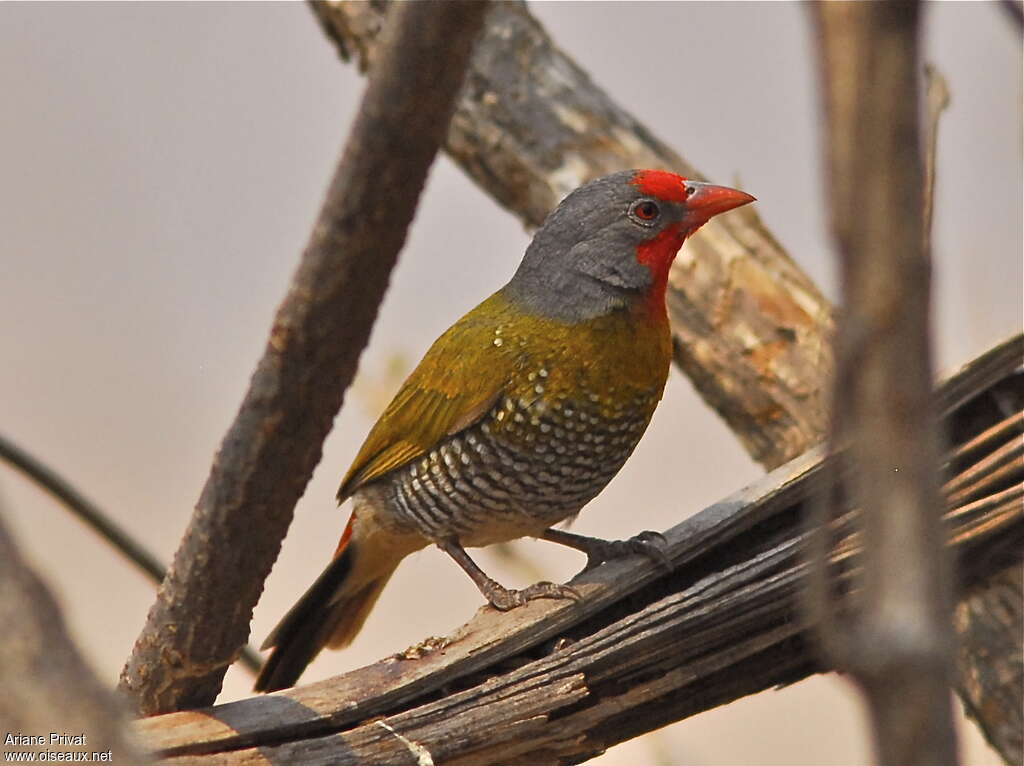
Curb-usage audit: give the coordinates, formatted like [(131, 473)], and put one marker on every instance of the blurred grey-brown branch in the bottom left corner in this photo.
[(48, 687)]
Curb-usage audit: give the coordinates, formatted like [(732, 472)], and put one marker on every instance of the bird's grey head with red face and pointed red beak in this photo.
[(610, 244)]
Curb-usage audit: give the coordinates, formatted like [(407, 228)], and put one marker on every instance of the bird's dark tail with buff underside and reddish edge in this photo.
[(334, 609)]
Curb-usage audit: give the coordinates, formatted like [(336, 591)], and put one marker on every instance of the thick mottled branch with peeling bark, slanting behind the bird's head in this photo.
[(752, 331)]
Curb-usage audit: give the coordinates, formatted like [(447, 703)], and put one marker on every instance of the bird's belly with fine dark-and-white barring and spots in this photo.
[(534, 460)]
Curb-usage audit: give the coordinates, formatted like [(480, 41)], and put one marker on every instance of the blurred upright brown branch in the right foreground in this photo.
[(899, 645)]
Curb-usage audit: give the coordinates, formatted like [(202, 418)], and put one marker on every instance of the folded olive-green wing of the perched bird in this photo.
[(456, 384)]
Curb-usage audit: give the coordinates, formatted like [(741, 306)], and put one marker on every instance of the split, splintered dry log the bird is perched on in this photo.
[(554, 684)]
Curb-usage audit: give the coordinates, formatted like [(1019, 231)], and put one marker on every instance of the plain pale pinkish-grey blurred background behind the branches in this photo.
[(161, 166)]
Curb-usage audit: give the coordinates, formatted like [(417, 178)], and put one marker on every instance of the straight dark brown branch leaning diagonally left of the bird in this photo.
[(205, 606)]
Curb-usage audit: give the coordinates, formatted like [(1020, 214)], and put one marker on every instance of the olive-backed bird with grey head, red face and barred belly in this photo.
[(520, 414)]
